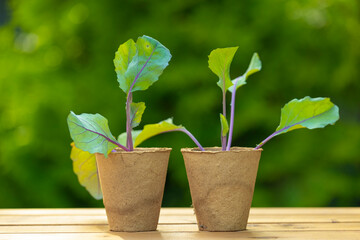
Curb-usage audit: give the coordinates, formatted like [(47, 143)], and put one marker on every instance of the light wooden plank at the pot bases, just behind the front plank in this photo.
[(180, 228)]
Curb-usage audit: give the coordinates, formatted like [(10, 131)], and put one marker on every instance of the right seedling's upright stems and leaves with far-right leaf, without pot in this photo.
[(304, 113)]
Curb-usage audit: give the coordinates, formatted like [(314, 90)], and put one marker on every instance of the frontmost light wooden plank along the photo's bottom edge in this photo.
[(354, 235)]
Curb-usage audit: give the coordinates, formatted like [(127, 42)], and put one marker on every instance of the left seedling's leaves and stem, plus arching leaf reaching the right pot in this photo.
[(138, 65)]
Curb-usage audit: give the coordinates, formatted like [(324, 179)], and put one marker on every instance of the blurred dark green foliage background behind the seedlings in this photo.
[(56, 56)]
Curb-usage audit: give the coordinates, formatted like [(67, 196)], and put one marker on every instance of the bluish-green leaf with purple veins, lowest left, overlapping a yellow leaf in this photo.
[(91, 133)]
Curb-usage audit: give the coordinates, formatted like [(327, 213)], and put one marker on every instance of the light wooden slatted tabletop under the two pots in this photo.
[(180, 223)]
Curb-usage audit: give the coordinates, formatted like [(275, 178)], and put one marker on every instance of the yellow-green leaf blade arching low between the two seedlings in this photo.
[(151, 130)]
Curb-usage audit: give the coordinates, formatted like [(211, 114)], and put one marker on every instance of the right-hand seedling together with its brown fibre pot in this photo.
[(213, 171)]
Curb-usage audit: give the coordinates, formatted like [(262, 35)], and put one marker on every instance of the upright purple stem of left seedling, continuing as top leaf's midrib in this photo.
[(128, 102)]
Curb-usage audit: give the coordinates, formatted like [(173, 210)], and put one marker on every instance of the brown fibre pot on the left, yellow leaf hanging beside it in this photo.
[(133, 185)]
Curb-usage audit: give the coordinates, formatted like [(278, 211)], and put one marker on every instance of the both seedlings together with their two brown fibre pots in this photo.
[(131, 180)]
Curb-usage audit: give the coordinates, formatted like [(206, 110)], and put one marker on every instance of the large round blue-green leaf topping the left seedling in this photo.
[(142, 62)]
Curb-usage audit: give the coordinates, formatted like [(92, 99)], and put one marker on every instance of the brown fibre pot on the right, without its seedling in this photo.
[(222, 186)]
